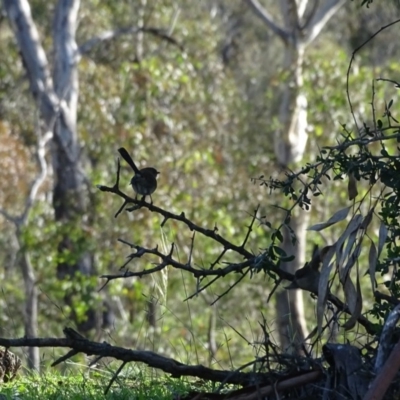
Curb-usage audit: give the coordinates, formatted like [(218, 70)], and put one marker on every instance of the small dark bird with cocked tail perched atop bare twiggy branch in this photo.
[(144, 182)]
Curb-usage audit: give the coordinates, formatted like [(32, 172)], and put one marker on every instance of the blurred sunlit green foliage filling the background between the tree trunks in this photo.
[(208, 127)]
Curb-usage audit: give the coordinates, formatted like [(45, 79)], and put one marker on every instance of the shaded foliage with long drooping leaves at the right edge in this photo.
[(369, 161)]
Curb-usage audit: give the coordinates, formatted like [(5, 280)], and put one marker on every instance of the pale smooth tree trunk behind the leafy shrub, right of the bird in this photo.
[(301, 25)]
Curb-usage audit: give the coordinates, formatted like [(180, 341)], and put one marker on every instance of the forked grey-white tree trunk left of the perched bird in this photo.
[(56, 96)]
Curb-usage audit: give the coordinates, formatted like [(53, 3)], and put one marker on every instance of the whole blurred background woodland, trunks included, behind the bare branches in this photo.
[(215, 95)]
